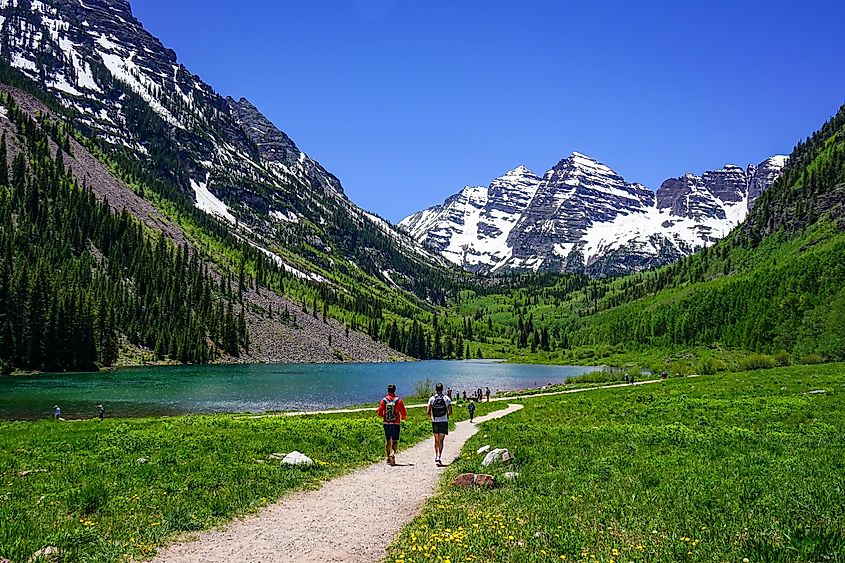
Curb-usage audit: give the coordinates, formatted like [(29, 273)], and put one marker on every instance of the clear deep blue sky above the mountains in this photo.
[(408, 101)]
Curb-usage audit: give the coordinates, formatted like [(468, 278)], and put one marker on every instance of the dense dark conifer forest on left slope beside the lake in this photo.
[(76, 278)]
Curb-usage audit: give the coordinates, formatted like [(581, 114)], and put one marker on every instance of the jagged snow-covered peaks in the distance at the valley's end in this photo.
[(582, 216)]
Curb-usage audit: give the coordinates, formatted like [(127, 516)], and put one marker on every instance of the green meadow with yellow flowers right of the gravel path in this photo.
[(728, 467)]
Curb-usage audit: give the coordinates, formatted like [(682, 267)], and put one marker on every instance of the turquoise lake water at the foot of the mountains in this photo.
[(253, 388)]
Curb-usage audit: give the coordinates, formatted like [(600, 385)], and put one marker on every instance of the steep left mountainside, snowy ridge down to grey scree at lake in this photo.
[(217, 176)]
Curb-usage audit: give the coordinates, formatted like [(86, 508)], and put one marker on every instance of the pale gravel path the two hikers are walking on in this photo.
[(344, 520)]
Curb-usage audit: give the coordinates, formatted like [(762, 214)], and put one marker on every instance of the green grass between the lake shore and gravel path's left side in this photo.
[(80, 486)]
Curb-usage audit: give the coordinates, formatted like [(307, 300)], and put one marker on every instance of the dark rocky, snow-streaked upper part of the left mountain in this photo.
[(131, 93)]
